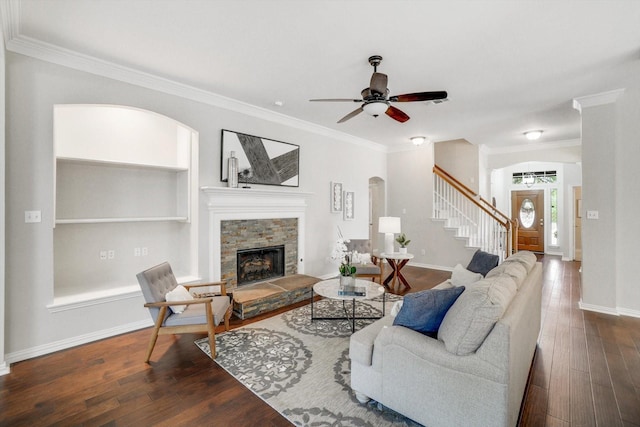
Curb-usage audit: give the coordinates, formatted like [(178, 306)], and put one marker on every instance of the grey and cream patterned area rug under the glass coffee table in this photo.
[(301, 368)]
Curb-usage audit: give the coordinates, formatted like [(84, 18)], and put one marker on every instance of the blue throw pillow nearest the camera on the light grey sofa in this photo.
[(423, 311)]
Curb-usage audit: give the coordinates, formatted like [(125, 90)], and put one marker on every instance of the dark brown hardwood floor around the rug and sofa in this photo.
[(586, 372)]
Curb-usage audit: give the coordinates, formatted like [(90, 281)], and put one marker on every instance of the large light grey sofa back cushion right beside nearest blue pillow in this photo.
[(475, 312)]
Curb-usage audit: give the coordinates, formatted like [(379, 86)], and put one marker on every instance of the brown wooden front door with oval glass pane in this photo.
[(527, 207)]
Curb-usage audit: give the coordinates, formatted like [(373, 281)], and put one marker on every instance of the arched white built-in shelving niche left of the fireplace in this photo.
[(125, 186)]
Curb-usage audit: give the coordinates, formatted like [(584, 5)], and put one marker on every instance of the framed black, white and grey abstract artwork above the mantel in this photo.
[(270, 162)]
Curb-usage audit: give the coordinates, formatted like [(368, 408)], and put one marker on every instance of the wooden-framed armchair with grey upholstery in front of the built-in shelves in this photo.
[(200, 314)]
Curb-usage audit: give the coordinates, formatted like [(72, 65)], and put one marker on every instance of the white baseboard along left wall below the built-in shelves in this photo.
[(64, 344)]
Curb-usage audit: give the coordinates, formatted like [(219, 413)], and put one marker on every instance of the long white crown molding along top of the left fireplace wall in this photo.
[(48, 52)]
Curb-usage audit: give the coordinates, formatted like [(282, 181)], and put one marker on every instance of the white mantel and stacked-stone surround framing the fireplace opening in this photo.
[(246, 218)]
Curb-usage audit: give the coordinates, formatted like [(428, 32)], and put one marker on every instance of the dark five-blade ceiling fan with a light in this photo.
[(376, 99)]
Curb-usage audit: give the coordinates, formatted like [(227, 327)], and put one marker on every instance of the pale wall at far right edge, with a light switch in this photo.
[(610, 132)]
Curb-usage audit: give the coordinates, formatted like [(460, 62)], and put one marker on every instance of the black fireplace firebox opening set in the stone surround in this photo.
[(259, 264)]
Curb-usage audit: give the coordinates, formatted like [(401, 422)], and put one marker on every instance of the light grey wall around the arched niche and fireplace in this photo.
[(33, 87)]
